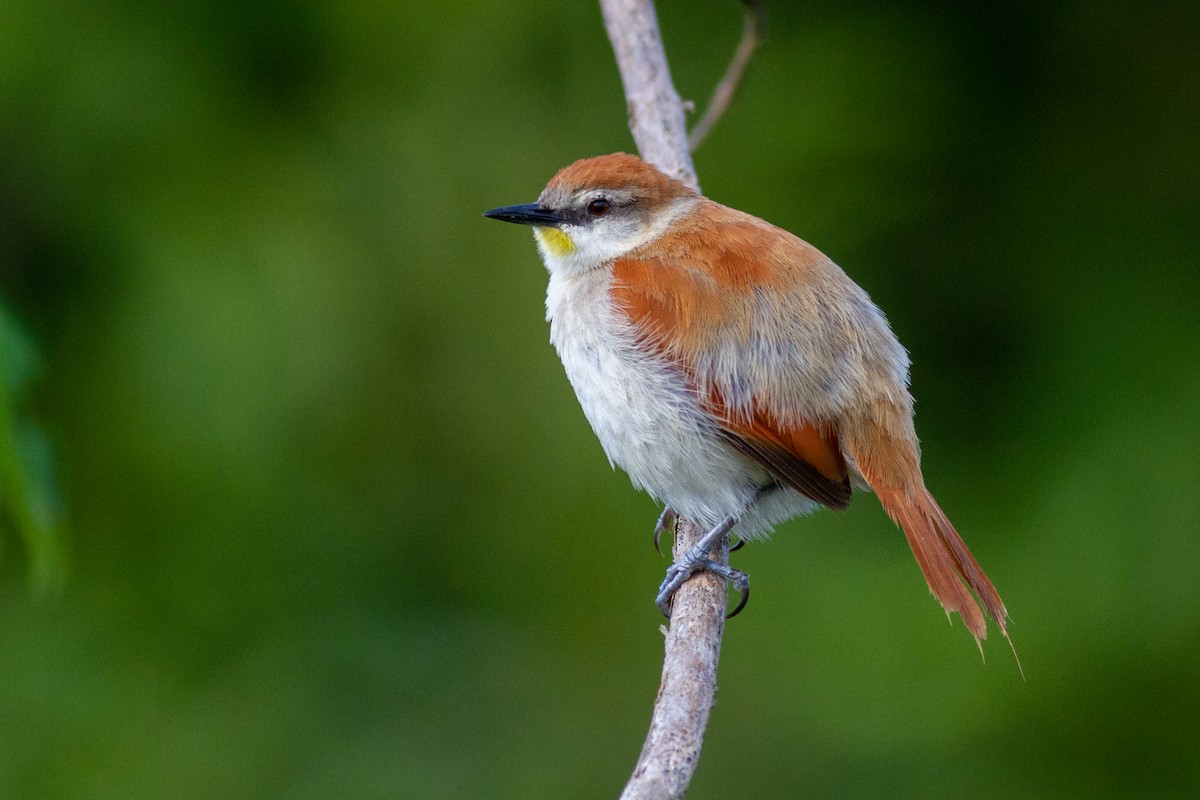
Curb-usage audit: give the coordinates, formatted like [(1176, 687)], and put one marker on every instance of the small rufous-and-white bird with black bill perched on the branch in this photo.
[(734, 371)]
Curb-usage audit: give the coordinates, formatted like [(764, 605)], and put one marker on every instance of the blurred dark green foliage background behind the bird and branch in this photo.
[(326, 521)]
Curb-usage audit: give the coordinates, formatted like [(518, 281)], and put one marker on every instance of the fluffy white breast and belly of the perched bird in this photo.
[(647, 418)]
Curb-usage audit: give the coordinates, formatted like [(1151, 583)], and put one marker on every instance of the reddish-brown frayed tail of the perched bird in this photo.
[(944, 558)]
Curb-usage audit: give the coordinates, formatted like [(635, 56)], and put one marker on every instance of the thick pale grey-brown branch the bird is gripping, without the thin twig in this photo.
[(693, 643)]
